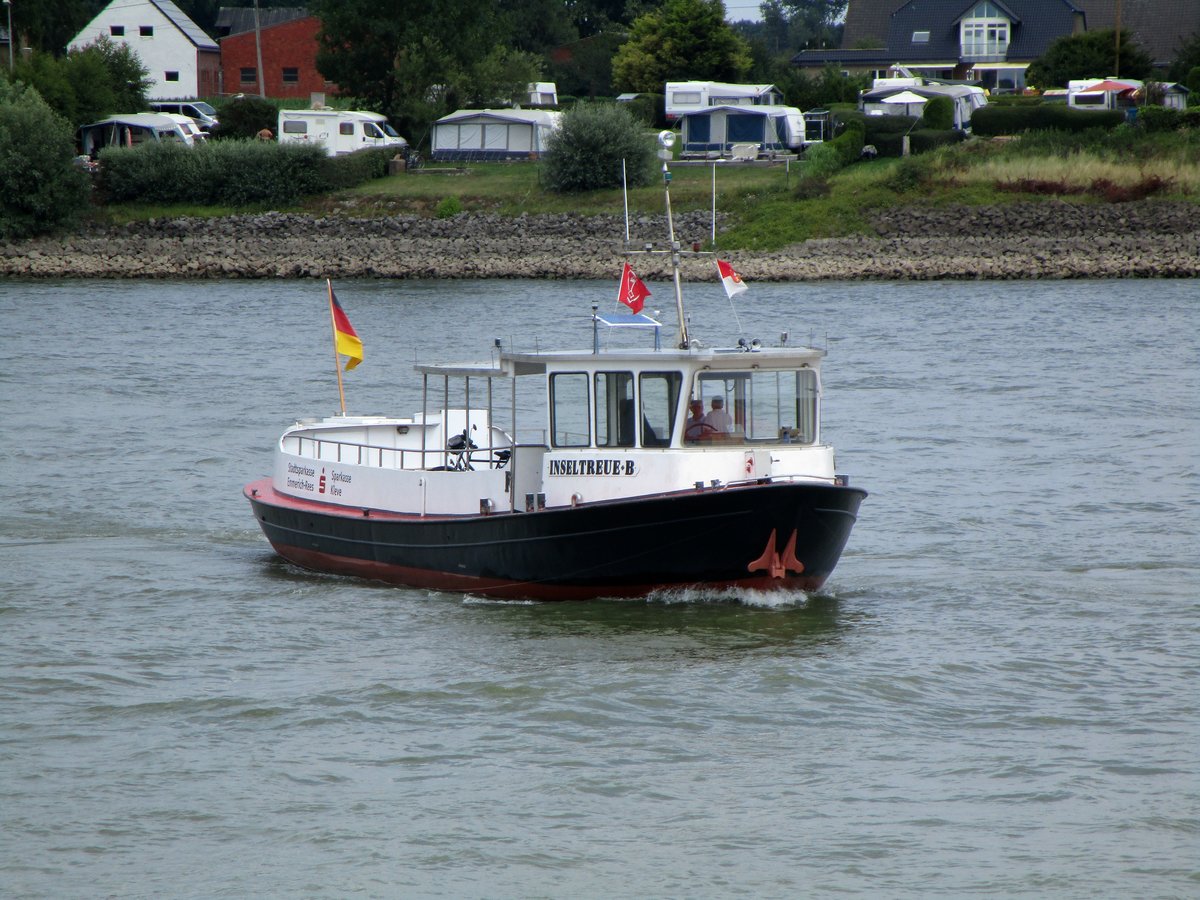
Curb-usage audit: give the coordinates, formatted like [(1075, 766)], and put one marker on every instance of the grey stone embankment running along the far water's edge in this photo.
[(1047, 241)]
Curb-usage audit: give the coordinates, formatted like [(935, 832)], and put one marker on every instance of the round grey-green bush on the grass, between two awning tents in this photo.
[(587, 151)]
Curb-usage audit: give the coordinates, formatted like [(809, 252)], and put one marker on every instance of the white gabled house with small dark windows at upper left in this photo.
[(183, 61)]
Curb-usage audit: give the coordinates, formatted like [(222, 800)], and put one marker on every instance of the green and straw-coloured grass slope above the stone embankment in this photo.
[(767, 208)]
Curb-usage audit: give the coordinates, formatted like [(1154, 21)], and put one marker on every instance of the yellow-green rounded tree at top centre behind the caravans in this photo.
[(685, 40)]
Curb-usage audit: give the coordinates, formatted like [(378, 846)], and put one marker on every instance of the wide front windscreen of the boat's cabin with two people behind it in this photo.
[(765, 406)]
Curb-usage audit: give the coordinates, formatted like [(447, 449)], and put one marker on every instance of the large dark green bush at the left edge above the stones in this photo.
[(40, 187)]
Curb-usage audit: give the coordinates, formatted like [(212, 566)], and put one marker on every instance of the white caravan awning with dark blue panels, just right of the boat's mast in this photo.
[(715, 133)]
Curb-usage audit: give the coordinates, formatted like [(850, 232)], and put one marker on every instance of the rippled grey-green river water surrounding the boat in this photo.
[(997, 694)]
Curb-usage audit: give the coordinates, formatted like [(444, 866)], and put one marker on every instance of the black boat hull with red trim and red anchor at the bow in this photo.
[(763, 537)]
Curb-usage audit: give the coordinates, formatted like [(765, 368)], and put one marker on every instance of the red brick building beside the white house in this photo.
[(287, 40)]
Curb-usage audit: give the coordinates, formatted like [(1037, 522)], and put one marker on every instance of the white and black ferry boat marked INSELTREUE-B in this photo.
[(617, 487)]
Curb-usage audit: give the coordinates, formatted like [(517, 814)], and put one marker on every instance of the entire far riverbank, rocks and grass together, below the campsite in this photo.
[(943, 215)]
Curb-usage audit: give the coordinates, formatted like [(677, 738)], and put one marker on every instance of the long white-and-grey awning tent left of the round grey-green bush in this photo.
[(494, 134)]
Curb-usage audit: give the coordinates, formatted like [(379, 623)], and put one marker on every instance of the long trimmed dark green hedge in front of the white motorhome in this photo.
[(233, 173)]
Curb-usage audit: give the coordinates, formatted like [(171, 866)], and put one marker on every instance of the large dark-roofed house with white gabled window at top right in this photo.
[(991, 43)]
